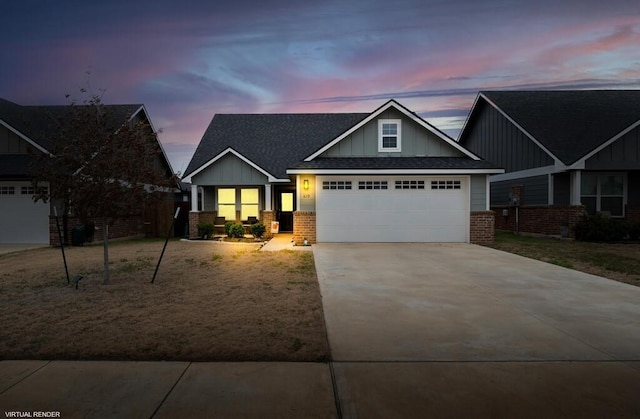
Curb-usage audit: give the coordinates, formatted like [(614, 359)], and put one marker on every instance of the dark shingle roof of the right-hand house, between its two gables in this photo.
[(570, 124)]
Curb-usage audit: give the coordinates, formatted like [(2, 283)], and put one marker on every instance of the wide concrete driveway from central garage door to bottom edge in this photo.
[(453, 330)]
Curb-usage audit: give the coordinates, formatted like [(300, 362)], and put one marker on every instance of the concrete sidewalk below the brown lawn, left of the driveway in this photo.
[(111, 389)]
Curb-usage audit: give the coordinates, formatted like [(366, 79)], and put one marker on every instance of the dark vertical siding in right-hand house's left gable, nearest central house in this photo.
[(494, 138)]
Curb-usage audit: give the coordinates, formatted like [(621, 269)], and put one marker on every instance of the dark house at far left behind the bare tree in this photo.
[(22, 133)]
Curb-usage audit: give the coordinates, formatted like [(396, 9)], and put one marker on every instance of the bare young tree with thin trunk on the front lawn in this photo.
[(102, 164)]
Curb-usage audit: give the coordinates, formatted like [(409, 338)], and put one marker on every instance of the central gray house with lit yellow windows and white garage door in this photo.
[(385, 176)]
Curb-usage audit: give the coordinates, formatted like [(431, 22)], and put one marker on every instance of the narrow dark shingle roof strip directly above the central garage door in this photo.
[(390, 163)]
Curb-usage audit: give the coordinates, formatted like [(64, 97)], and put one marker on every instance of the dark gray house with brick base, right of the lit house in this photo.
[(564, 152)]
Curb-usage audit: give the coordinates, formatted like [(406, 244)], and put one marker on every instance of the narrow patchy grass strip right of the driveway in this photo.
[(620, 262)]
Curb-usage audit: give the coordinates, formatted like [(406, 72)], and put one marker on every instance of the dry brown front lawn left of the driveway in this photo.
[(210, 301)]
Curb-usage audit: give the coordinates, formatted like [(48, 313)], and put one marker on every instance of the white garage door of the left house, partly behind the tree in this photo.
[(22, 220)]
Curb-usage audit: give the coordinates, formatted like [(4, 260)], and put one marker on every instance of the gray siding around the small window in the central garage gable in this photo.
[(415, 141)]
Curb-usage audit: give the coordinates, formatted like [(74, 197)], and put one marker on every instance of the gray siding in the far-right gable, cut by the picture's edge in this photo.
[(623, 154)]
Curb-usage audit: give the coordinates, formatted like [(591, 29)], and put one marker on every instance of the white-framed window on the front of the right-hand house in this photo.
[(603, 193)]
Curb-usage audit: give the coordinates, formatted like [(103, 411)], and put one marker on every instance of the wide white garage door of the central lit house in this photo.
[(392, 209)]
